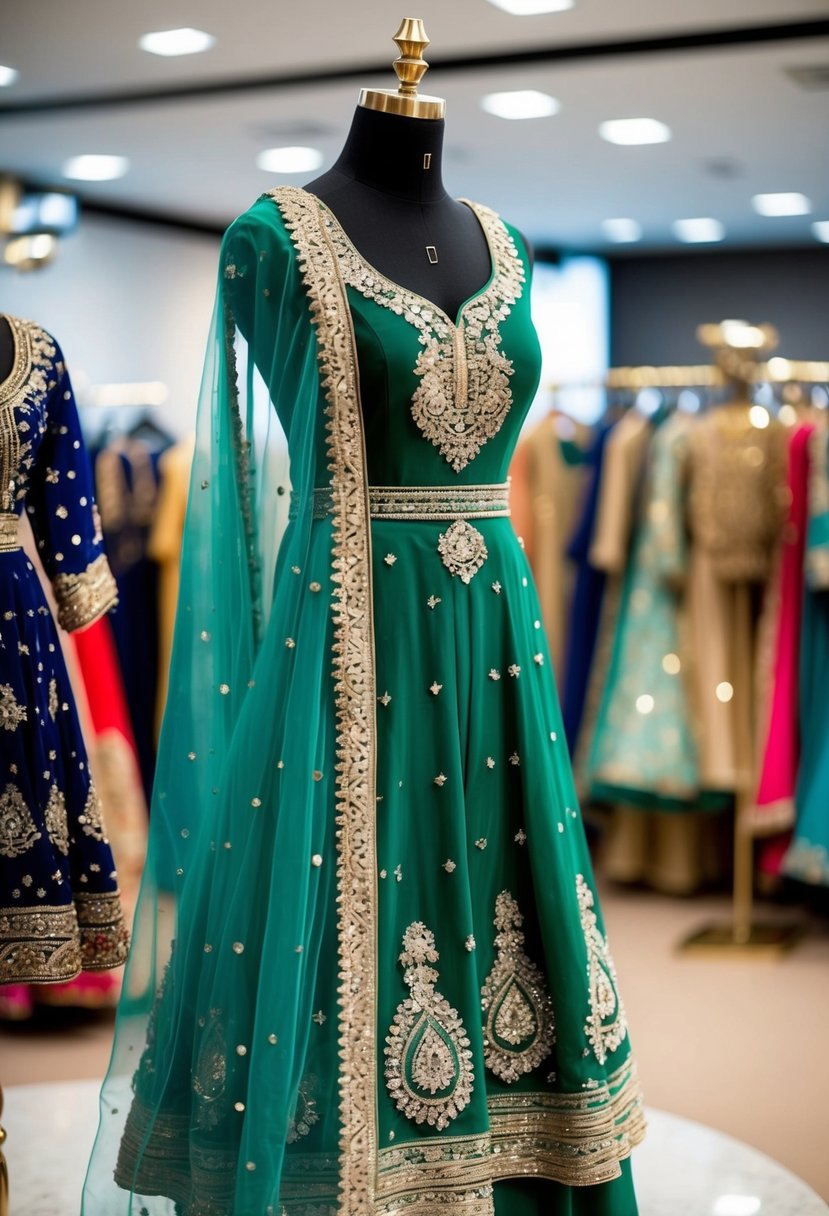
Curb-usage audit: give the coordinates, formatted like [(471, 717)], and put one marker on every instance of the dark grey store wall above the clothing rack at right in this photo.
[(658, 302)]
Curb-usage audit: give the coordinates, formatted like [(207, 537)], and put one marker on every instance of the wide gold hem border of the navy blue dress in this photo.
[(55, 943)]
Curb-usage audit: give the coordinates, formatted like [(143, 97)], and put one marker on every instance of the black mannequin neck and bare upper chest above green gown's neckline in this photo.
[(387, 192)]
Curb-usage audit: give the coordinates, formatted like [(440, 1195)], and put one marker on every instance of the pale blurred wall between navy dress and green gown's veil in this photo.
[(127, 302)]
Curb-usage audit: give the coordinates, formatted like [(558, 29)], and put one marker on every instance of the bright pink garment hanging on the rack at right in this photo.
[(775, 809)]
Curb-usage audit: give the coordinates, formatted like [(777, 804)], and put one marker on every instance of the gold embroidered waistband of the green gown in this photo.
[(437, 503)]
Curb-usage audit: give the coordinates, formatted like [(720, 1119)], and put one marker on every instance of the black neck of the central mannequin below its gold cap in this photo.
[(391, 154)]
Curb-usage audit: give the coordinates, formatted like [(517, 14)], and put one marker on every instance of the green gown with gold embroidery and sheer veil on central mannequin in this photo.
[(439, 1031)]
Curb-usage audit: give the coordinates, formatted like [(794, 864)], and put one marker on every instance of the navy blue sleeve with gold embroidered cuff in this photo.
[(65, 520)]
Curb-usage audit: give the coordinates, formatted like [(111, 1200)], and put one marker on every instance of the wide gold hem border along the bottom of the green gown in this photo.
[(577, 1140)]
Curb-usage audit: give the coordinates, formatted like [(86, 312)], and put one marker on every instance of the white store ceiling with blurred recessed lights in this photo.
[(555, 178)]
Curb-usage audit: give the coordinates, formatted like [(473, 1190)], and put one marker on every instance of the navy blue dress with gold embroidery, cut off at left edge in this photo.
[(60, 909)]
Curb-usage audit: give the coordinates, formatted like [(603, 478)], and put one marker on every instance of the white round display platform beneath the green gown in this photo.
[(683, 1168)]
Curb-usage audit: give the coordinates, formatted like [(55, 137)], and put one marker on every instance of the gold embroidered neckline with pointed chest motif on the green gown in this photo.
[(464, 396)]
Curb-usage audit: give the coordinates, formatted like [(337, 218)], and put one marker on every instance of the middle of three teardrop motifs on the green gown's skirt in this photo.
[(520, 1028)]
